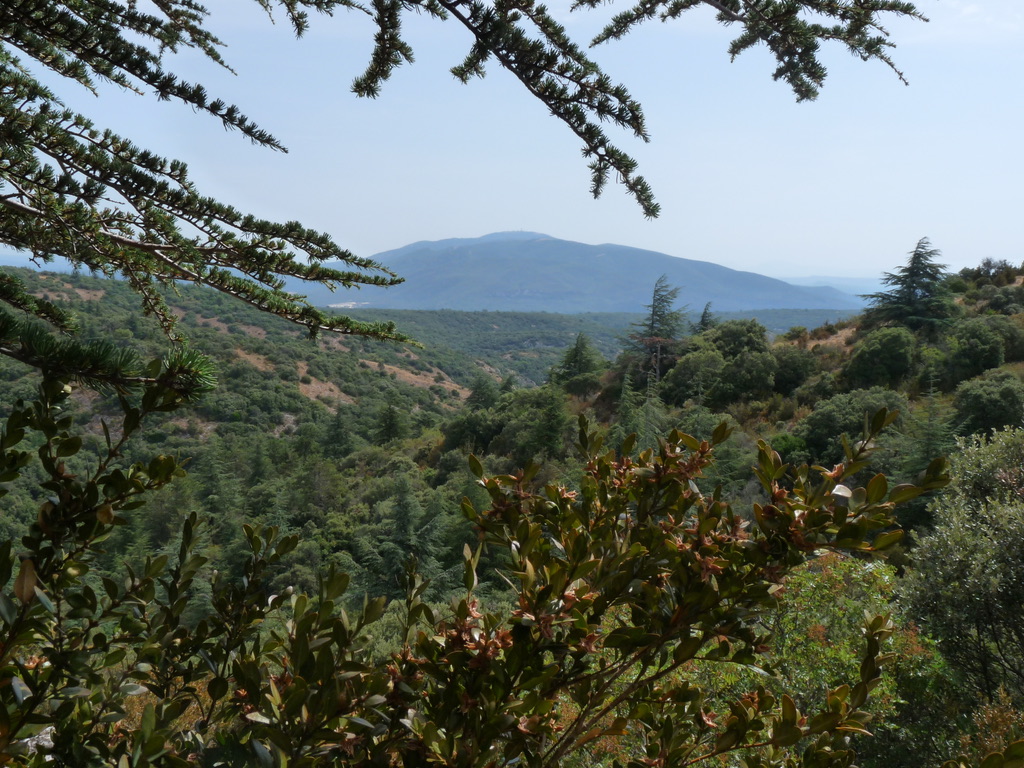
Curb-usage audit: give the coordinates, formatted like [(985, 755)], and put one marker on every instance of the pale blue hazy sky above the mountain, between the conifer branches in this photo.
[(747, 178)]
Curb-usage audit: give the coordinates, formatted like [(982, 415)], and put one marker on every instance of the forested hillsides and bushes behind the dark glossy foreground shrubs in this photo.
[(362, 450)]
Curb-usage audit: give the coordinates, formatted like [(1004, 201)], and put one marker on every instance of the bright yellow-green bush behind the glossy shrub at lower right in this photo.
[(817, 631)]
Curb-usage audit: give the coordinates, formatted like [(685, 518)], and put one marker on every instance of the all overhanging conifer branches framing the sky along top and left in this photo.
[(70, 188)]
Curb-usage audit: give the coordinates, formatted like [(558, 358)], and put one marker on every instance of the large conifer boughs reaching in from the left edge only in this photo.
[(74, 190)]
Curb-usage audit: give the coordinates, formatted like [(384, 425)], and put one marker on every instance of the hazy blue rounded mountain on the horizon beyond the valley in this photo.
[(530, 273)]
